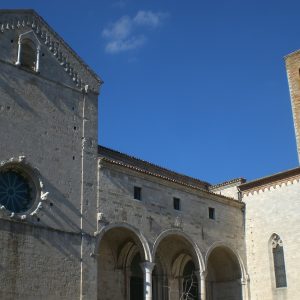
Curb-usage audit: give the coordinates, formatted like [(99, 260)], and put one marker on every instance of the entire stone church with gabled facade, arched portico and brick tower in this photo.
[(81, 221)]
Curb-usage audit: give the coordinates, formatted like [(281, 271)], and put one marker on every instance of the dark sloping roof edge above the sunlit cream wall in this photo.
[(269, 179)]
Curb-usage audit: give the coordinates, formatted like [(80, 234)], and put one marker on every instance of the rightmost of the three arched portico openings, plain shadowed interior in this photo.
[(223, 281)]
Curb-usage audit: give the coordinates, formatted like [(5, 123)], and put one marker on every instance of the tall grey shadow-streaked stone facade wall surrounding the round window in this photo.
[(51, 123)]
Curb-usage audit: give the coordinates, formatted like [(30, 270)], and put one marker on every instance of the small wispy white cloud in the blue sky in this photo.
[(123, 35)]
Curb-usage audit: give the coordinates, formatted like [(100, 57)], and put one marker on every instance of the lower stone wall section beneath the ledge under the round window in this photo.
[(38, 263)]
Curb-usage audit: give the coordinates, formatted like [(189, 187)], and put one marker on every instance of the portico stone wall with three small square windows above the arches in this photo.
[(154, 215)]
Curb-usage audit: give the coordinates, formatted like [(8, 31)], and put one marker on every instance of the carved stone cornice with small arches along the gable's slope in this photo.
[(73, 65)]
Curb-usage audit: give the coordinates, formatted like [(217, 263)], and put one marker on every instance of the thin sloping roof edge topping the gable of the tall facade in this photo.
[(67, 46)]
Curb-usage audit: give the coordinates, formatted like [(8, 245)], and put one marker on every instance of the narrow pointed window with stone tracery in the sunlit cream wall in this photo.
[(278, 259)]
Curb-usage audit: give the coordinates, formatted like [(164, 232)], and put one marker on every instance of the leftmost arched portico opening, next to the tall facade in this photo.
[(120, 275)]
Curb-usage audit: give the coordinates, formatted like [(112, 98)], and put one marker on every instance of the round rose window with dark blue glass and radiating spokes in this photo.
[(17, 190)]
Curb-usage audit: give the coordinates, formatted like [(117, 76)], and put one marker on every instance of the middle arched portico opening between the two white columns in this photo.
[(179, 267)]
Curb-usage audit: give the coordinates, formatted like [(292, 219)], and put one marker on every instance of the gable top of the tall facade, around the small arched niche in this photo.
[(14, 23)]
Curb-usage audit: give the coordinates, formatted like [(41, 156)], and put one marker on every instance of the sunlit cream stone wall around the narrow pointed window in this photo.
[(273, 209)]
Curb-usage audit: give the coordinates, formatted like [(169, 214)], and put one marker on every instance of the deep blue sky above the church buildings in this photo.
[(196, 86)]
